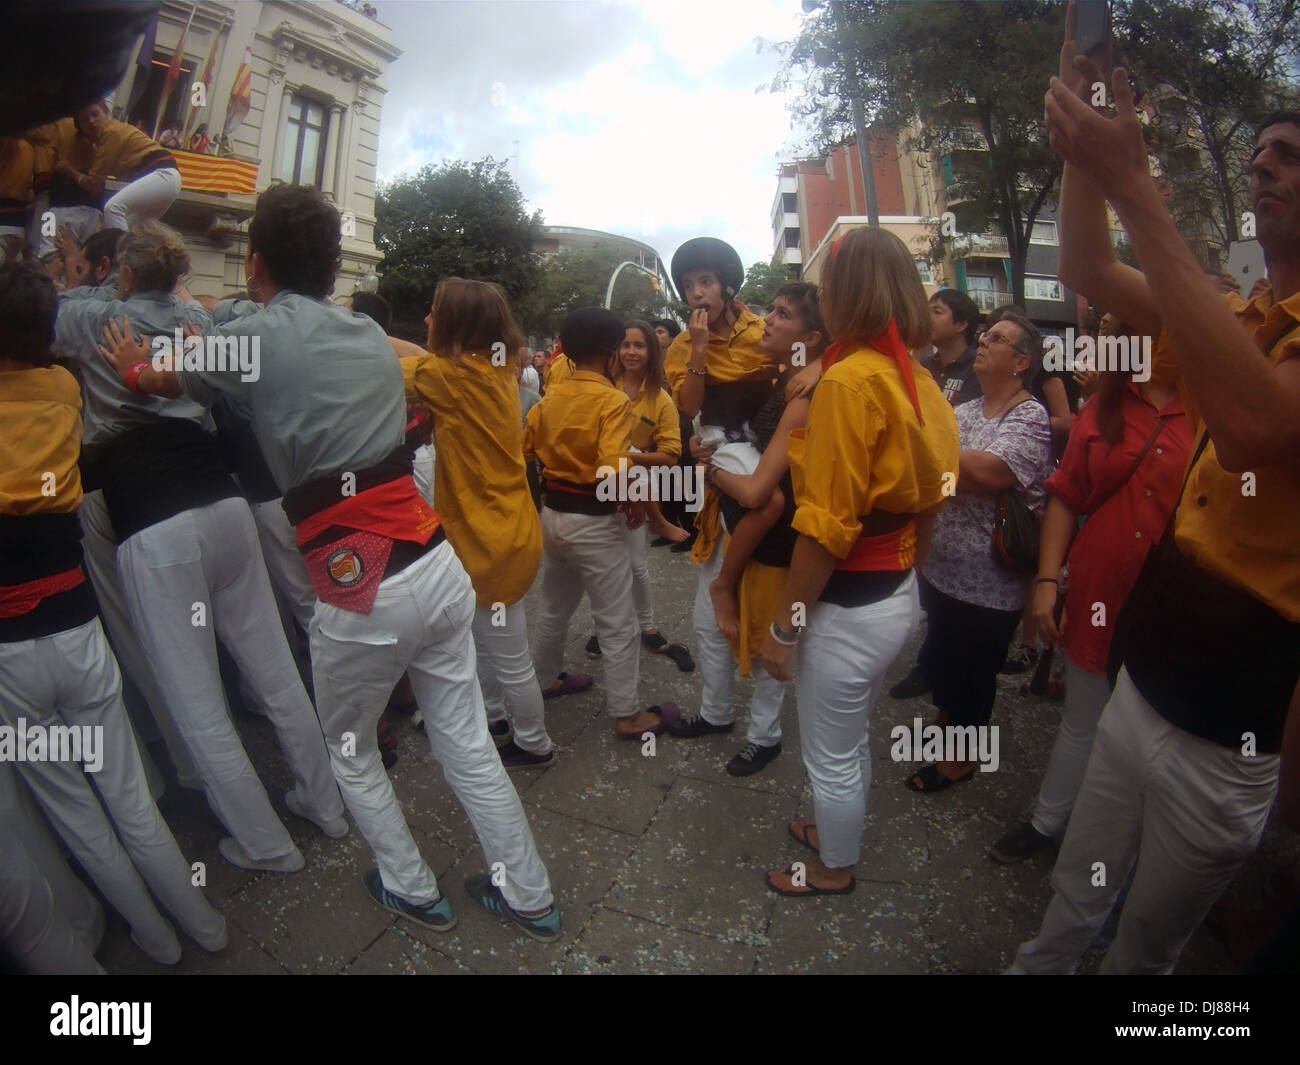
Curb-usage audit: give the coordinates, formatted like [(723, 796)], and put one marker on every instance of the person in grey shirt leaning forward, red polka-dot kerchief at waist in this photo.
[(331, 402)]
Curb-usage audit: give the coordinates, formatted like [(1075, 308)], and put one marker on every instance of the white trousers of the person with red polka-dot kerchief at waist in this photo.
[(421, 625)]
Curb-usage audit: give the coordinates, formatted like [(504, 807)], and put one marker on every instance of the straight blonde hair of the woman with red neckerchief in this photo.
[(872, 279)]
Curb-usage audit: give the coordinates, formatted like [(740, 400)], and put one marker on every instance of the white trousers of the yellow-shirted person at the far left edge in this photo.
[(71, 679)]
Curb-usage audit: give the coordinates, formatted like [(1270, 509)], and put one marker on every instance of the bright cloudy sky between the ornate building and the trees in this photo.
[(644, 118)]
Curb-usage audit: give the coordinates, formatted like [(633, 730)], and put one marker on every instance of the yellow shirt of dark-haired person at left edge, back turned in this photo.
[(41, 430)]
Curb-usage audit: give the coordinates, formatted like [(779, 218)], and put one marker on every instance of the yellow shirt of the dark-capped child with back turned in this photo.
[(580, 426)]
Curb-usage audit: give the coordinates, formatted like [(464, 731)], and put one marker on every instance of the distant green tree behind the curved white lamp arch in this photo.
[(580, 278)]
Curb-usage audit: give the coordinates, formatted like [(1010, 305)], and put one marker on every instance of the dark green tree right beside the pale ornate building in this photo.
[(456, 220)]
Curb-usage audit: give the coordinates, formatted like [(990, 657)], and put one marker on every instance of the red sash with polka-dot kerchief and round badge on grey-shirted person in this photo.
[(346, 572)]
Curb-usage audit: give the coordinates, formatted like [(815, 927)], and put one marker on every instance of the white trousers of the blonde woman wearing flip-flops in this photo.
[(839, 668)]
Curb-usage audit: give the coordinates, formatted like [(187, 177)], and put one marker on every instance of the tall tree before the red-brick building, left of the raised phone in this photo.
[(968, 75)]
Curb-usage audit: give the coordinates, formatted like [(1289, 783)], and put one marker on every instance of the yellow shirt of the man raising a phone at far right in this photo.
[(1250, 542)]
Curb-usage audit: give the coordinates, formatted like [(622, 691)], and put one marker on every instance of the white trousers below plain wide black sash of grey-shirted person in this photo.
[(205, 565)]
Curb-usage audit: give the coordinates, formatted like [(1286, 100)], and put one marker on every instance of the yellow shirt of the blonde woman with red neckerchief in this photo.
[(865, 451)]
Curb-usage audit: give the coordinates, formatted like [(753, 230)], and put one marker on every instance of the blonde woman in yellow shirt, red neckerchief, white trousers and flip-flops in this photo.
[(869, 482)]
